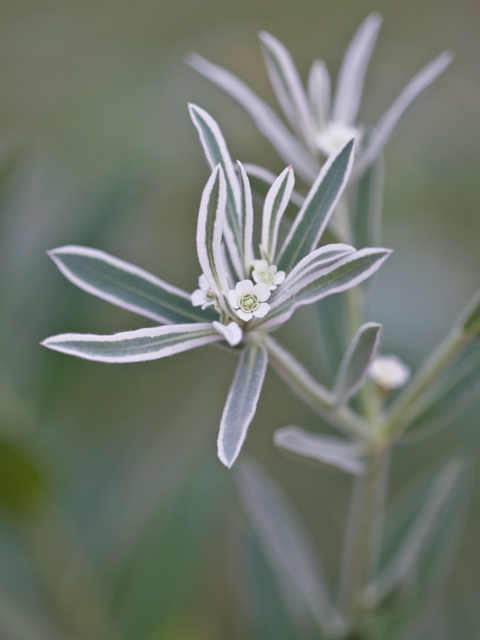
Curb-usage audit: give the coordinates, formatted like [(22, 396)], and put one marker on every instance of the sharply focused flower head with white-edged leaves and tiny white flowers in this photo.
[(244, 294)]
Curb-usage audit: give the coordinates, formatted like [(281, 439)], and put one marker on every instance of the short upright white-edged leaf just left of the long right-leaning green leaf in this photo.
[(276, 202)]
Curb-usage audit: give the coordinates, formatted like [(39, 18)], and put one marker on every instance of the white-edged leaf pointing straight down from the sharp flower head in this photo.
[(241, 402)]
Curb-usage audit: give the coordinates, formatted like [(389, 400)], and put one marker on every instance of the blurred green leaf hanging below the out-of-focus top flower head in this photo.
[(367, 213)]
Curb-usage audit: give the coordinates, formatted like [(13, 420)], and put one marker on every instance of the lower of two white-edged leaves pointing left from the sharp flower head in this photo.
[(135, 346)]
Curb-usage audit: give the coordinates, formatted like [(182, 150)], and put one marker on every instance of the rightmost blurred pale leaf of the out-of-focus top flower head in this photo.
[(391, 117)]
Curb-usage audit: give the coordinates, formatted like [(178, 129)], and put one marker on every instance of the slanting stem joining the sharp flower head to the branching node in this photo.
[(312, 392)]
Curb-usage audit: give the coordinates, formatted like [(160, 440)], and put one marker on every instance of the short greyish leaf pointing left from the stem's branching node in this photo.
[(329, 451)]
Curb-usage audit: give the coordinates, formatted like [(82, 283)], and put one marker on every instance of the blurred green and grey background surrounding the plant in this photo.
[(138, 529)]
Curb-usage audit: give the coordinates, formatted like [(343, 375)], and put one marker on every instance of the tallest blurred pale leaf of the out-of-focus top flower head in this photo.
[(351, 77)]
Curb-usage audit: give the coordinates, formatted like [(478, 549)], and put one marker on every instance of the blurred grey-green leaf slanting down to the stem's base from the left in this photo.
[(285, 543)]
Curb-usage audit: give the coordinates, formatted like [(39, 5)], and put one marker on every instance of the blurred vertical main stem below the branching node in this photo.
[(362, 537)]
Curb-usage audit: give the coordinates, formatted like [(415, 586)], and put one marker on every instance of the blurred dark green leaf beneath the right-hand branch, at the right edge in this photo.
[(453, 393)]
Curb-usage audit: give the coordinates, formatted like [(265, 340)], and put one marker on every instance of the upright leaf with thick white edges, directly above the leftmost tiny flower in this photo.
[(210, 231)]
